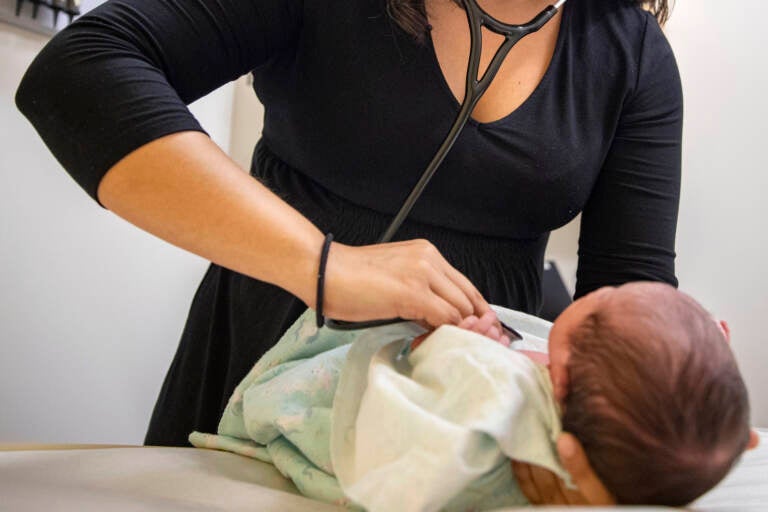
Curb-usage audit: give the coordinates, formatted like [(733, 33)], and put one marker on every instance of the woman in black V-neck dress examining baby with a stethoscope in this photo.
[(584, 116)]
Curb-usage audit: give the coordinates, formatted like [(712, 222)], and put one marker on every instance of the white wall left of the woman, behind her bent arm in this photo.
[(91, 308)]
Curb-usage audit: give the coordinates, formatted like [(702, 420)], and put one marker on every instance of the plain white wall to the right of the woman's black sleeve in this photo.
[(721, 52)]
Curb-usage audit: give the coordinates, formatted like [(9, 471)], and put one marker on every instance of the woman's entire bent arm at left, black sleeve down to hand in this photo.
[(108, 97)]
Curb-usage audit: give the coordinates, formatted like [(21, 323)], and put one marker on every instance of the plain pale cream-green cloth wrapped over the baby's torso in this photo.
[(412, 431)]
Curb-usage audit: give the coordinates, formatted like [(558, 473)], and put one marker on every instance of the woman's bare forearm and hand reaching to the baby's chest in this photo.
[(184, 189)]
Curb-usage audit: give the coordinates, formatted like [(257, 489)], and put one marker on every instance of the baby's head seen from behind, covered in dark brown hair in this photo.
[(655, 398)]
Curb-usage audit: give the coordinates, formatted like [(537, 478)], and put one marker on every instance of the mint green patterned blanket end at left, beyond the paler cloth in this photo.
[(280, 412)]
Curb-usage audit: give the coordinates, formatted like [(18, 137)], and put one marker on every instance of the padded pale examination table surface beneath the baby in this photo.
[(188, 479)]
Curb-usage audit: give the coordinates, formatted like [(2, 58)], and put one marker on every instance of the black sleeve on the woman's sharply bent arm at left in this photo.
[(121, 76)]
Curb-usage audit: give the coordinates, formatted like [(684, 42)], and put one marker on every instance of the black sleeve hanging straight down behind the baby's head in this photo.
[(629, 222)]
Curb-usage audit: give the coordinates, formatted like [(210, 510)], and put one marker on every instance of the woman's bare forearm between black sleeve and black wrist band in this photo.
[(185, 190)]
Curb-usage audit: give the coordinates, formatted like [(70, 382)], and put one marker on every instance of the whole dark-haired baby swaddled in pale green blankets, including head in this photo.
[(655, 399)]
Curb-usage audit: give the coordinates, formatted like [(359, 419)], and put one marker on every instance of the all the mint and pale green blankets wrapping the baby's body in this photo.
[(300, 409)]
